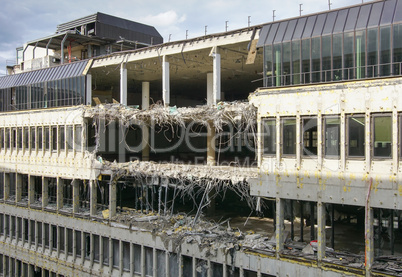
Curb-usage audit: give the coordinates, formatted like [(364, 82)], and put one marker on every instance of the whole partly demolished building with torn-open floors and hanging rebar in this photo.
[(150, 161)]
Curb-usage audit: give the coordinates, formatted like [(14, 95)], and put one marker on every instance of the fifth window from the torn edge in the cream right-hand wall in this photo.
[(356, 136)]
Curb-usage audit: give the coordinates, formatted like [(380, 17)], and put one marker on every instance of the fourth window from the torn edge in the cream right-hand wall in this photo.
[(332, 136)]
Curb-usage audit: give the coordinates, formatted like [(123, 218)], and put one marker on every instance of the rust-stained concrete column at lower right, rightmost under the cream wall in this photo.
[(369, 240)]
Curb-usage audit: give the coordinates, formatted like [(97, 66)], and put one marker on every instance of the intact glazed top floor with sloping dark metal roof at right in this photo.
[(362, 41)]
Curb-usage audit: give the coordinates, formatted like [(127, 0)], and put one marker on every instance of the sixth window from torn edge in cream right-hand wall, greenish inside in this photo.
[(382, 136)]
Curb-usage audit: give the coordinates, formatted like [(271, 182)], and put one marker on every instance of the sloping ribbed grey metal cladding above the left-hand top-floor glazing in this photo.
[(43, 75)]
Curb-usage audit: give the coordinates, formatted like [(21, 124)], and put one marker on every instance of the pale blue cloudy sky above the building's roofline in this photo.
[(26, 20)]
